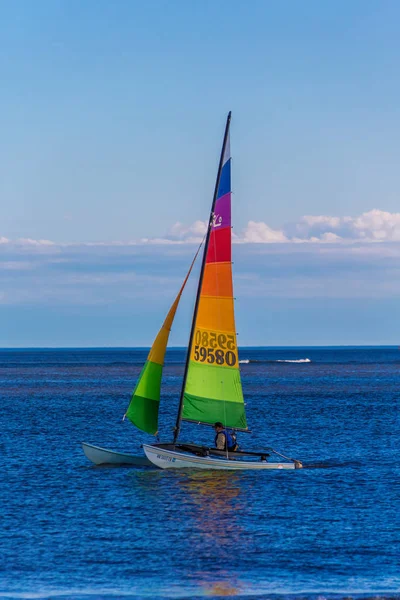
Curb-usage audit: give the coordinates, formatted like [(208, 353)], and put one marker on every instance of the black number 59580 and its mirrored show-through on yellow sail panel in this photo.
[(214, 348)]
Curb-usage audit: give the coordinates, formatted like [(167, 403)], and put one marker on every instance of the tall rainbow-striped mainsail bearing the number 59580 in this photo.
[(212, 387)]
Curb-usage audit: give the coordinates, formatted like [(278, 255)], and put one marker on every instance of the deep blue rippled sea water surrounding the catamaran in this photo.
[(71, 530)]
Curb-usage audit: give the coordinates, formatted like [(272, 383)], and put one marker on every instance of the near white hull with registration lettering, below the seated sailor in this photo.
[(171, 459)]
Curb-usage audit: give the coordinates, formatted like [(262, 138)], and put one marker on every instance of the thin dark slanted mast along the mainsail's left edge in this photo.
[(196, 306)]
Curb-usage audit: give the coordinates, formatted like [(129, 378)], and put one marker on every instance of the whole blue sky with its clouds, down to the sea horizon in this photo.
[(111, 119)]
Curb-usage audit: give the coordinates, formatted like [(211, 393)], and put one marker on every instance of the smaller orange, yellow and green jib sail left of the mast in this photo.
[(143, 408)]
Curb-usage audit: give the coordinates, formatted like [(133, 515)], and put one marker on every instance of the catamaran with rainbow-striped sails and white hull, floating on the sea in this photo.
[(211, 387)]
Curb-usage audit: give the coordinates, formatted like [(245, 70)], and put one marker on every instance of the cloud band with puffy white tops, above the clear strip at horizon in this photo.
[(319, 256)]
